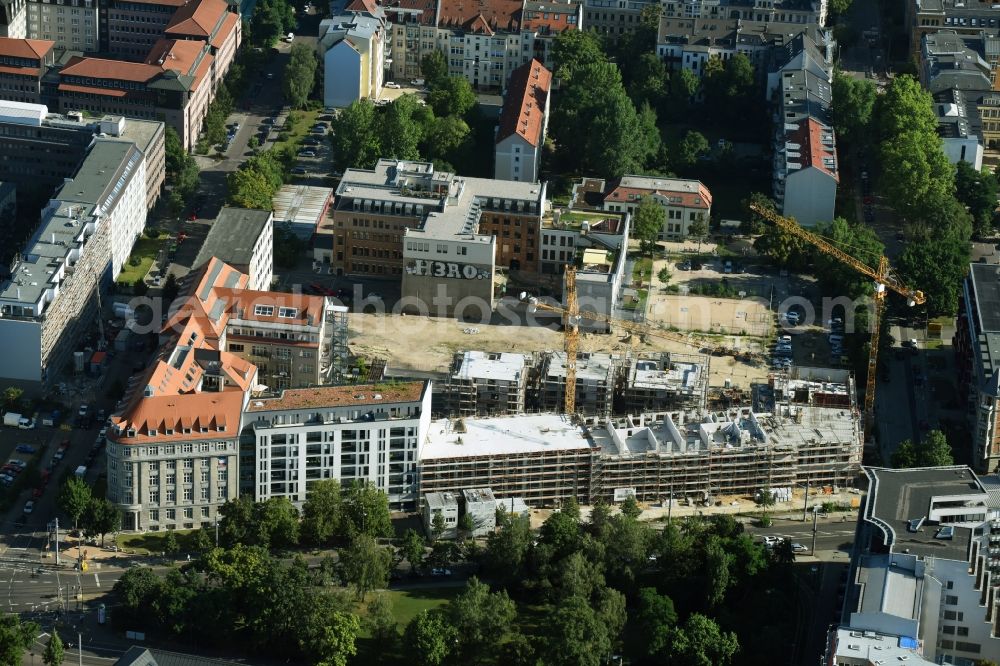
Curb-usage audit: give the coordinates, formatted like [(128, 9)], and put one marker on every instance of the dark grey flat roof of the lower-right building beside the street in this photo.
[(897, 496)]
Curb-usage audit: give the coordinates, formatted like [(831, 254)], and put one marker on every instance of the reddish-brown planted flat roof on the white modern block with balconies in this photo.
[(340, 396)]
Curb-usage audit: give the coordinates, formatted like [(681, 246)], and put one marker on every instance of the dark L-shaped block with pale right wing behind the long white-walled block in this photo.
[(39, 150)]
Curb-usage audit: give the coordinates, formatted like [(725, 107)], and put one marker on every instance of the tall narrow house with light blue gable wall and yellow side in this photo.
[(353, 50)]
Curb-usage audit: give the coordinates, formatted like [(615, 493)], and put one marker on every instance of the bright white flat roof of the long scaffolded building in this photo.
[(526, 433)]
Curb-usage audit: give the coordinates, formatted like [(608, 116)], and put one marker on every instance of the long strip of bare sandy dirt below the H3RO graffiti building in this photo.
[(428, 344)]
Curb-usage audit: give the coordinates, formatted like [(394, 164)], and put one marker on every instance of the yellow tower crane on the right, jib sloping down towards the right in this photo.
[(883, 276)]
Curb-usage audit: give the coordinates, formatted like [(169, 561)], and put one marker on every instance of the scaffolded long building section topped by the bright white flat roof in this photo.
[(543, 459)]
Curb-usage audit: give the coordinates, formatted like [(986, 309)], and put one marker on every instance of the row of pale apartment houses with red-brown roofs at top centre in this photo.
[(484, 42)]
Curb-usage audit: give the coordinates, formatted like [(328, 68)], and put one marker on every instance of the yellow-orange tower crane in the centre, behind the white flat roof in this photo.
[(571, 334)]
